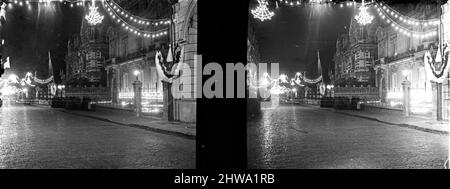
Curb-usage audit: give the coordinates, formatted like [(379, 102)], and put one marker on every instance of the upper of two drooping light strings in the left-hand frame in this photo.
[(136, 19)]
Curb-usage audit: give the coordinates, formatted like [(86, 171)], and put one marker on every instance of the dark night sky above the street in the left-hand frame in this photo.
[(30, 34)]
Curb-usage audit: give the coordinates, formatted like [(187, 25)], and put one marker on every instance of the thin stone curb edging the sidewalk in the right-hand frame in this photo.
[(428, 130)]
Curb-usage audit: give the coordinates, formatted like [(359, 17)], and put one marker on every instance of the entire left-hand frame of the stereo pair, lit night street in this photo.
[(87, 84)]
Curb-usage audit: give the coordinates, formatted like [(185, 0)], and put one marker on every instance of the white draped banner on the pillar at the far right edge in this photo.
[(437, 68)]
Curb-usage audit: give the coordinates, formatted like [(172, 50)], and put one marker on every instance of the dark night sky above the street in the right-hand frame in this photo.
[(293, 36)]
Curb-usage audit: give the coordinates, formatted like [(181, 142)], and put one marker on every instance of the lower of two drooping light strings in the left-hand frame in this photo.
[(133, 29)]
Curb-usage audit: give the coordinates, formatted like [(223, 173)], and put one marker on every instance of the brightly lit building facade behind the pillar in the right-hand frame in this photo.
[(401, 58)]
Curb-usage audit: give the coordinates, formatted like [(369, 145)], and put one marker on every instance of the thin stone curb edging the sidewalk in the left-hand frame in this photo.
[(156, 130)]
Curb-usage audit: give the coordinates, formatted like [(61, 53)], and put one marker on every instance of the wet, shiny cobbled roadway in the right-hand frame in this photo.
[(305, 137)]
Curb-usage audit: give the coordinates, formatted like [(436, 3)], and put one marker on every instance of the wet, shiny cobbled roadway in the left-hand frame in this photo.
[(36, 137)]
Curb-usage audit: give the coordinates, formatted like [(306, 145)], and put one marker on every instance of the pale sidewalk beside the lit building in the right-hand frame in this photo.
[(414, 122)]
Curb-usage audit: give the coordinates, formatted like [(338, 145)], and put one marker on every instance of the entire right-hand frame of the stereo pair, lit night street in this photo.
[(361, 84)]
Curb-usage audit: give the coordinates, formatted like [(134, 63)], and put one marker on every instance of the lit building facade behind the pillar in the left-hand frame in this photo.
[(132, 57)]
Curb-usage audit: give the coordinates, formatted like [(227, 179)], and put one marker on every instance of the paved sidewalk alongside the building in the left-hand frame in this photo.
[(127, 118)]
